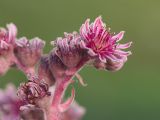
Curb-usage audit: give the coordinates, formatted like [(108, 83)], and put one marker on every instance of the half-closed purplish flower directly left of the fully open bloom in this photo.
[(70, 49)]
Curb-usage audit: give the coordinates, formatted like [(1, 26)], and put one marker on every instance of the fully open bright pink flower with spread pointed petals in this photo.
[(101, 43)]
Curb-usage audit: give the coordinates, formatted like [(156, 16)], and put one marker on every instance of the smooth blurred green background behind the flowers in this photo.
[(132, 93)]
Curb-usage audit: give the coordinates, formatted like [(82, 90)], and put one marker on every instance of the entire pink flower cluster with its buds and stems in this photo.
[(41, 97)]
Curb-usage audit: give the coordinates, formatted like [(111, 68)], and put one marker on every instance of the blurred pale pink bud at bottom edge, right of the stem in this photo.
[(75, 112)]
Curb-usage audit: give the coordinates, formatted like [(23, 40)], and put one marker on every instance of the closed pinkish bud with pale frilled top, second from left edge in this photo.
[(28, 52)]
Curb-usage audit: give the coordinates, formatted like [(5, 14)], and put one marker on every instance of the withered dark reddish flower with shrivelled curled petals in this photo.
[(34, 90)]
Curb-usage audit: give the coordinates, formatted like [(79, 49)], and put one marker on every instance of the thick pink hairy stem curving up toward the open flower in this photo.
[(61, 86)]
